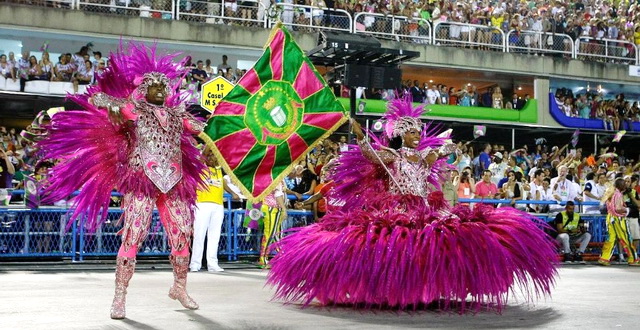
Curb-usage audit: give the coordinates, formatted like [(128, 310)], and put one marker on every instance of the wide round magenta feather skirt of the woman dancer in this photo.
[(397, 252)]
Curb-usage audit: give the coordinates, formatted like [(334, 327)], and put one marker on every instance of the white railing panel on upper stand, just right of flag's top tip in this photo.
[(309, 18)]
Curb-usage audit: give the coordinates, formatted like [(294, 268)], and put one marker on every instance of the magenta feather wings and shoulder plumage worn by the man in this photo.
[(96, 156)]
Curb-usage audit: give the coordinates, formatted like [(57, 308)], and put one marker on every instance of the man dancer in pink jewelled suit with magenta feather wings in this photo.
[(135, 135)]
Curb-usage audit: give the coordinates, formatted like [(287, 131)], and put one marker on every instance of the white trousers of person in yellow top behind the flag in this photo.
[(208, 222)]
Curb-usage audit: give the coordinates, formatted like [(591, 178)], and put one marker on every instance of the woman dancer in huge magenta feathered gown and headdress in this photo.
[(396, 243)]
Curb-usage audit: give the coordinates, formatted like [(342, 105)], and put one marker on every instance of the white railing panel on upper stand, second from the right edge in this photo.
[(535, 42)]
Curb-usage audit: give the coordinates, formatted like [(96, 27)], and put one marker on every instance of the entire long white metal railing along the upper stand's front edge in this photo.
[(415, 30)]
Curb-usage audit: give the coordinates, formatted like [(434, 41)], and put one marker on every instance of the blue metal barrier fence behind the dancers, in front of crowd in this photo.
[(42, 233)]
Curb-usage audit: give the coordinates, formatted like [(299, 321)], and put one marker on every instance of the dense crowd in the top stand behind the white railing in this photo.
[(611, 19)]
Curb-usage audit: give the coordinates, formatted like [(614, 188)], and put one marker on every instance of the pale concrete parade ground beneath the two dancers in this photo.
[(78, 296)]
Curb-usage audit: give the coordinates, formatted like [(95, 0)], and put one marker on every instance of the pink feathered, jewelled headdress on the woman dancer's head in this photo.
[(402, 116)]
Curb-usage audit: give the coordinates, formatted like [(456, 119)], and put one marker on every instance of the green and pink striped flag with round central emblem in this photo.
[(277, 112)]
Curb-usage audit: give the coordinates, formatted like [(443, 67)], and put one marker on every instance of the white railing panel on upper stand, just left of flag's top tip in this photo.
[(246, 13)]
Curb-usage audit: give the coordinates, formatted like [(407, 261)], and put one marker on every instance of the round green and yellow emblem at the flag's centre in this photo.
[(274, 113)]
